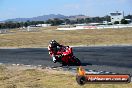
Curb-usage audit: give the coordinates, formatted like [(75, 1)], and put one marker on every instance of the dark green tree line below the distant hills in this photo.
[(56, 21)]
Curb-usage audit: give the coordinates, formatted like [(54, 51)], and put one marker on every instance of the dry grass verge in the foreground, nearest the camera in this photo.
[(26, 77)]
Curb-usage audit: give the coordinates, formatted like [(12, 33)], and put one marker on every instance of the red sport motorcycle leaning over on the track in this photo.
[(67, 57)]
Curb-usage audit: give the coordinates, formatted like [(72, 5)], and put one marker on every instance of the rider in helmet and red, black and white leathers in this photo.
[(53, 48)]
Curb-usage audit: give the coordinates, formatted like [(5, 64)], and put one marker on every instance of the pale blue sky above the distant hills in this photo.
[(31, 8)]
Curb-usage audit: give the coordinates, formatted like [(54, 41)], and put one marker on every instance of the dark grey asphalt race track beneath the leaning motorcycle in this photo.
[(117, 59)]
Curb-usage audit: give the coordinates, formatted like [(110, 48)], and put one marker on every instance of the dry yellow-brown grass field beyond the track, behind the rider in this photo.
[(41, 37)]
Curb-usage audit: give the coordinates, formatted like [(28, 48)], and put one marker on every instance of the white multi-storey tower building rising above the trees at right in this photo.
[(116, 17)]
